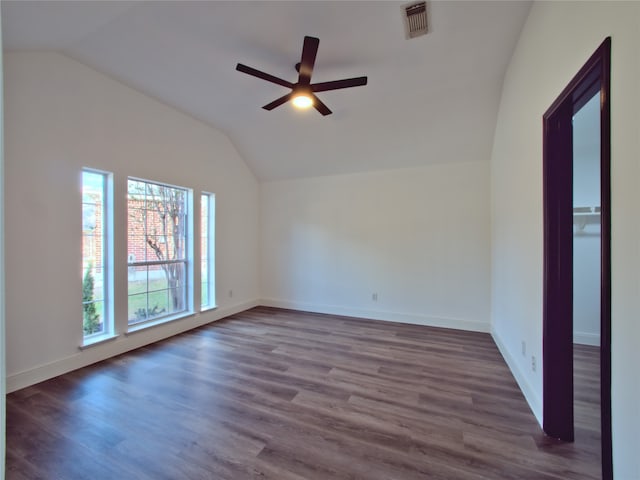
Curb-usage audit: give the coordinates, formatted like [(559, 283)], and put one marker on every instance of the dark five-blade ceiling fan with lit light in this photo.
[(303, 91)]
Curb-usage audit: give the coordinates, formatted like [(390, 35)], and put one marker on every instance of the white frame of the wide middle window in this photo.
[(187, 261)]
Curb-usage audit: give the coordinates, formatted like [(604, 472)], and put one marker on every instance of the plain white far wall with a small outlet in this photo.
[(418, 237)]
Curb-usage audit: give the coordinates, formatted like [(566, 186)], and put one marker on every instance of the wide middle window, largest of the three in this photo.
[(158, 251)]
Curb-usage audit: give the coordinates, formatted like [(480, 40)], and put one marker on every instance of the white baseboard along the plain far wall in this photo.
[(415, 319)]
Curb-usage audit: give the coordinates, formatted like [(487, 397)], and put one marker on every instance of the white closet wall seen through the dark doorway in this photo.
[(586, 237)]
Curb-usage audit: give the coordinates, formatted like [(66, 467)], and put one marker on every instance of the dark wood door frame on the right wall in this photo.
[(557, 346)]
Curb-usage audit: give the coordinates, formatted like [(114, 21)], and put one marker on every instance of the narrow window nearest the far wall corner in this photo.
[(207, 242)]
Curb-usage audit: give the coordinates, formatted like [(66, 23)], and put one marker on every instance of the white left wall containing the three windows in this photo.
[(61, 116)]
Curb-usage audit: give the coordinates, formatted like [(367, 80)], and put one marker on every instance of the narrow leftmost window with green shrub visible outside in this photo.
[(96, 311)]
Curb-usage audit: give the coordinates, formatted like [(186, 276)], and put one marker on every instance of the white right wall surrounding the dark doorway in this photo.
[(556, 41)]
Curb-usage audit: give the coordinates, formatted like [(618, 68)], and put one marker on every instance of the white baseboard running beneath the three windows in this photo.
[(122, 344)]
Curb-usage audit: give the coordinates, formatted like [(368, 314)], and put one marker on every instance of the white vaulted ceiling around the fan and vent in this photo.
[(431, 99)]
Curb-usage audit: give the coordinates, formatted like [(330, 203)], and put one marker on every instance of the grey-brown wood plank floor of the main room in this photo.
[(277, 394)]
